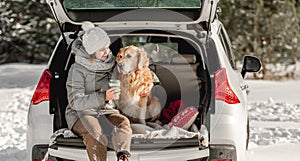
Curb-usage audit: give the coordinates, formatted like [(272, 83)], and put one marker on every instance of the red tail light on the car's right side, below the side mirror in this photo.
[(223, 91)]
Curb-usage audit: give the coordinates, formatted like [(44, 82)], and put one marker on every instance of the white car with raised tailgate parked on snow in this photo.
[(191, 54)]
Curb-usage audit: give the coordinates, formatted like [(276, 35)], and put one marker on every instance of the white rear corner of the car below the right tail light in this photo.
[(228, 133)]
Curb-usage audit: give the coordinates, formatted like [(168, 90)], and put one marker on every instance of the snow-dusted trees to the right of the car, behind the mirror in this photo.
[(269, 29)]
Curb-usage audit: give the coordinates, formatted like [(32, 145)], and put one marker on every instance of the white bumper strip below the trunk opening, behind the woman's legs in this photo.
[(178, 154)]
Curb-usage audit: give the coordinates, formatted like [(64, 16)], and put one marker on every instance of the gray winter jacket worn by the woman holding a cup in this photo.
[(86, 89)]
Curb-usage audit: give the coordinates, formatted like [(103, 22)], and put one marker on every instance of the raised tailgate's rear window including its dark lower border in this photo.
[(132, 10)]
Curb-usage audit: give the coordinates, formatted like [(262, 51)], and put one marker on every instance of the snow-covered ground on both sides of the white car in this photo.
[(274, 110)]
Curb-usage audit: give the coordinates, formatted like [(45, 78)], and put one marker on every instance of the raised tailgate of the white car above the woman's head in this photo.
[(116, 12)]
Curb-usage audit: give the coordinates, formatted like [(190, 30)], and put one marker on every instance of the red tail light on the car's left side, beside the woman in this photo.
[(41, 92)]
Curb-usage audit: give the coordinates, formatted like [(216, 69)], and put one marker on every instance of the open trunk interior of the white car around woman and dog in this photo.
[(179, 65)]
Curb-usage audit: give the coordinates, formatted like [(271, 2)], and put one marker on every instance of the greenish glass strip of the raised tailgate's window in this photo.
[(130, 4)]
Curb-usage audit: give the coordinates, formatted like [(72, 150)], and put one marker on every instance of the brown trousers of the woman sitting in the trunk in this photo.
[(93, 130)]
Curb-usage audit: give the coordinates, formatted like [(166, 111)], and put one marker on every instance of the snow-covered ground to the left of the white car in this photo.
[(16, 88)]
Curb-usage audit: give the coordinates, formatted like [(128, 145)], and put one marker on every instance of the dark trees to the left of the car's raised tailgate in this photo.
[(28, 31)]
